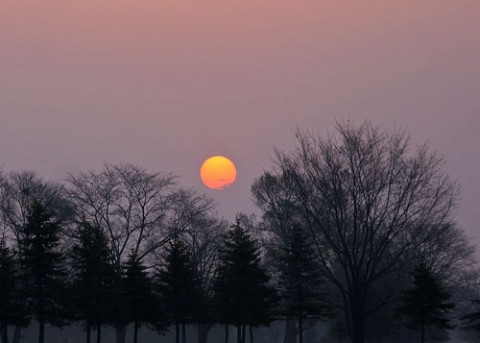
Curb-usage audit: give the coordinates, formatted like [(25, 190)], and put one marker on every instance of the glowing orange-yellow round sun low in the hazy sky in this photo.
[(218, 172)]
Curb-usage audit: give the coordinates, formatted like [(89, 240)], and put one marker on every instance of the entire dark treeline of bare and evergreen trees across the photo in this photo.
[(357, 232)]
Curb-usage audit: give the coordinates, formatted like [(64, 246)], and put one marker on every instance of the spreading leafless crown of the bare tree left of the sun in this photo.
[(129, 203)]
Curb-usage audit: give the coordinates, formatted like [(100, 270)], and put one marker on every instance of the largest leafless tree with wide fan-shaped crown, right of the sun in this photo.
[(369, 202)]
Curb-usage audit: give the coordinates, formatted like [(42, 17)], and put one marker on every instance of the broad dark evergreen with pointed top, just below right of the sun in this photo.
[(243, 296)]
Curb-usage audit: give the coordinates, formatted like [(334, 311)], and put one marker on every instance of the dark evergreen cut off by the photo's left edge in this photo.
[(12, 304)]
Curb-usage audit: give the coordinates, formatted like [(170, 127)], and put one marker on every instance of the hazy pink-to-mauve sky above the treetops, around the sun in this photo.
[(167, 83)]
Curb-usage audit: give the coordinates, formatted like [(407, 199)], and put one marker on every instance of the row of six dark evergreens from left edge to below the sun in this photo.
[(84, 284)]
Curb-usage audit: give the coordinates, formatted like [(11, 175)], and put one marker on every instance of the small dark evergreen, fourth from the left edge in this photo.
[(141, 304)]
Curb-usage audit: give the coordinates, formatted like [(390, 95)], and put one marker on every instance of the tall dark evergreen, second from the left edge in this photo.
[(43, 268)]
